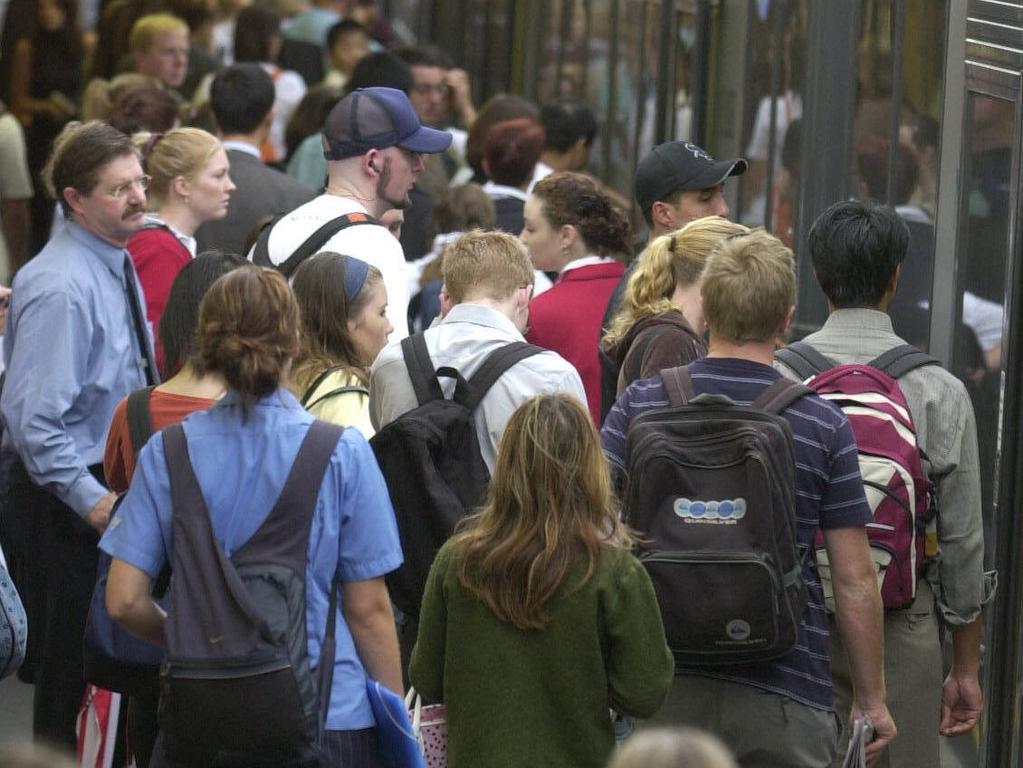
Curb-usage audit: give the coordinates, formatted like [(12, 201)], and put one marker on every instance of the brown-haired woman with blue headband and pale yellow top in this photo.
[(342, 334)]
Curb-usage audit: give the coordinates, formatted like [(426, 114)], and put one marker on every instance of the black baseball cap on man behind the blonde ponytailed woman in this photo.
[(681, 165)]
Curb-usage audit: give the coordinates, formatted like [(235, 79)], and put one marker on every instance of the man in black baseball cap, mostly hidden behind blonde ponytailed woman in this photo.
[(676, 184)]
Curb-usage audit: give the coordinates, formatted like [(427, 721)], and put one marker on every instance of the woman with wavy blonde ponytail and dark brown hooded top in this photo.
[(660, 324)]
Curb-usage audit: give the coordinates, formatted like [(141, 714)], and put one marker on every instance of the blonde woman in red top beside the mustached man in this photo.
[(189, 185)]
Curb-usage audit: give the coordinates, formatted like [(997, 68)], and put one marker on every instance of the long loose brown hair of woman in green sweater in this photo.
[(550, 505)]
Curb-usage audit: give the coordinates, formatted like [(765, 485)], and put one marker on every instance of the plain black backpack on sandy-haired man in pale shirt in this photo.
[(431, 460)]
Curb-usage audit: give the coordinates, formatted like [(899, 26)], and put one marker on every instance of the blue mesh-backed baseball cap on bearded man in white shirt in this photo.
[(376, 119)]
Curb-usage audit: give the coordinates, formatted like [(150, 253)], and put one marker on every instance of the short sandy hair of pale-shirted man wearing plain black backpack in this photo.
[(495, 264)]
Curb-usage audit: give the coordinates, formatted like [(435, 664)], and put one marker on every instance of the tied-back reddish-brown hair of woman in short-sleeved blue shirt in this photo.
[(249, 330)]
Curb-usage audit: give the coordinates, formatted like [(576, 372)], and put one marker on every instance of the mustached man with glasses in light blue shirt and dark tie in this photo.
[(76, 344)]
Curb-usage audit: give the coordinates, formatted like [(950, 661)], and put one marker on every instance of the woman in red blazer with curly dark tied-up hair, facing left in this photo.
[(572, 229)]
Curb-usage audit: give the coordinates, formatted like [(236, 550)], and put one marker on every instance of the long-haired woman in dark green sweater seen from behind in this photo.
[(537, 619)]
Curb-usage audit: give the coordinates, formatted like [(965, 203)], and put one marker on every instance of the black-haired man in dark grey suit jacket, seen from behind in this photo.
[(242, 99)]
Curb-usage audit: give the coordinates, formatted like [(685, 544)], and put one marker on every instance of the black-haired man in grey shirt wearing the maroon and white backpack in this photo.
[(858, 251)]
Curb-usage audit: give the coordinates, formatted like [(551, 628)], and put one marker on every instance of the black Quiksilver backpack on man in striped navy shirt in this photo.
[(711, 494)]
